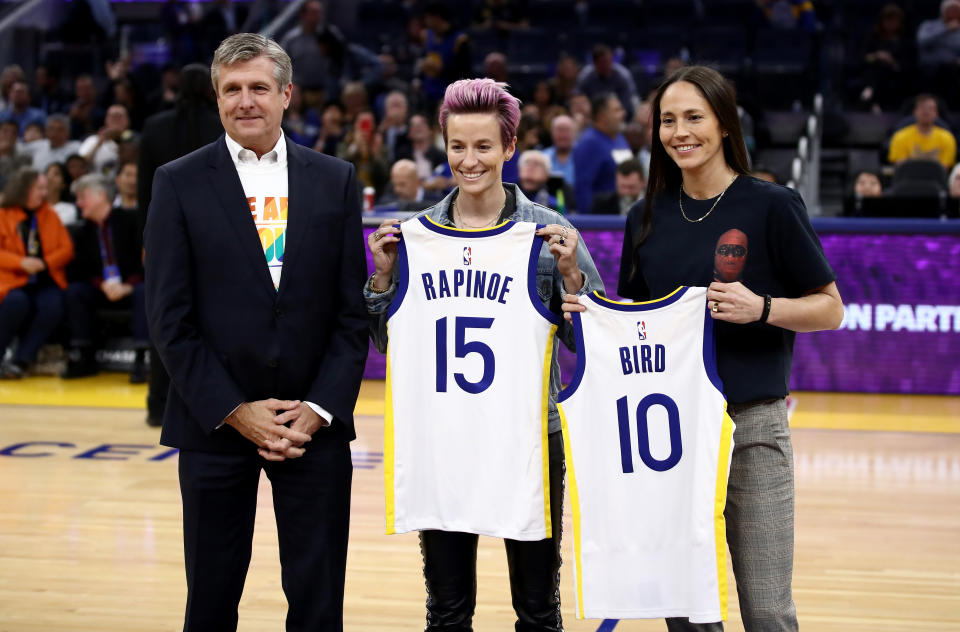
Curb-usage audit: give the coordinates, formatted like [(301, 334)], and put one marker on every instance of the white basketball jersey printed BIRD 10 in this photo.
[(648, 444)]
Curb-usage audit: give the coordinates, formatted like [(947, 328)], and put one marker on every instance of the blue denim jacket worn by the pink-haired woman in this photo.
[(549, 283)]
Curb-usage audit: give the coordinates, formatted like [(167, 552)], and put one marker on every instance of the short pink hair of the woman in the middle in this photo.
[(482, 96)]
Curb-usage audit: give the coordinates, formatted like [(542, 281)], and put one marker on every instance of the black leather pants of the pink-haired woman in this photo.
[(450, 569)]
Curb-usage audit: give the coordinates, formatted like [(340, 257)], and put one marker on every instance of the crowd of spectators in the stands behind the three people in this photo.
[(72, 163)]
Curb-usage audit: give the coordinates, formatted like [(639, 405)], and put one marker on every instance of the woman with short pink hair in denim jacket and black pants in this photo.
[(479, 120)]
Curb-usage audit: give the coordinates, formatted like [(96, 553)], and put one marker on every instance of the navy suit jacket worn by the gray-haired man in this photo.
[(225, 335)]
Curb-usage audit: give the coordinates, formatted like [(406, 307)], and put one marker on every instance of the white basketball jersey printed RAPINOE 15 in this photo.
[(468, 372)]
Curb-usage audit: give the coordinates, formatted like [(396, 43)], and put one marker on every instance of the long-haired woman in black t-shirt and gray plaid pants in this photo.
[(705, 222)]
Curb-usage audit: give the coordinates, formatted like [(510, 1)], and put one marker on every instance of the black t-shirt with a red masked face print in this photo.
[(758, 234)]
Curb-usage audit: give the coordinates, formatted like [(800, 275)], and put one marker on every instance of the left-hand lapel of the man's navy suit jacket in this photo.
[(226, 182)]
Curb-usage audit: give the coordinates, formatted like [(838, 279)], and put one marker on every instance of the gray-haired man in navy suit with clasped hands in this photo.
[(254, 267)]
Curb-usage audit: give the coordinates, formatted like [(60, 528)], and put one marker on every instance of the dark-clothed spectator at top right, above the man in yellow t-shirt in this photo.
[(889, 58)]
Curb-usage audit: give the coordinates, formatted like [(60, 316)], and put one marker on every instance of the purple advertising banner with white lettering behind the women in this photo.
[(901, 291)]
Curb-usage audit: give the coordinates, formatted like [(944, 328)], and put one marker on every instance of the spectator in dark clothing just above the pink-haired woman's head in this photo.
[(447, 52)]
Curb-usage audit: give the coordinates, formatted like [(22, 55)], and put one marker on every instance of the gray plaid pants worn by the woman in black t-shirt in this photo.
[(759, 516)]
